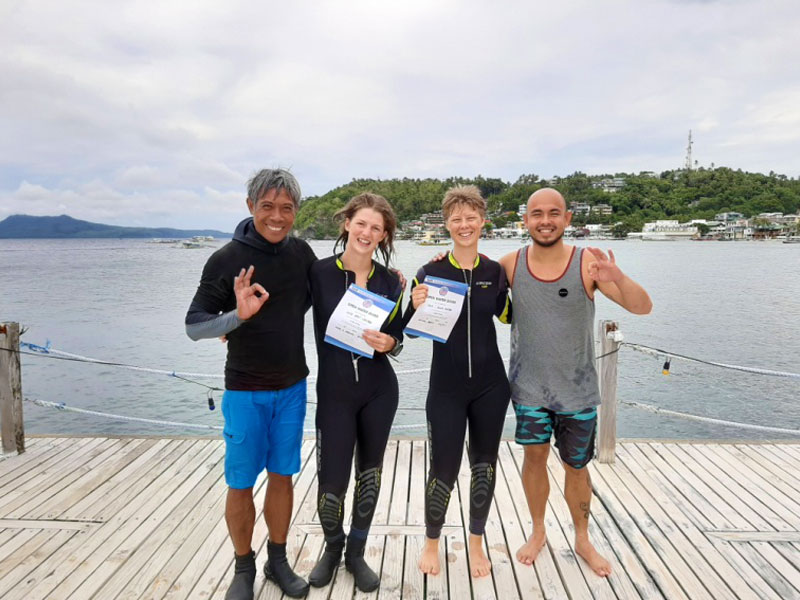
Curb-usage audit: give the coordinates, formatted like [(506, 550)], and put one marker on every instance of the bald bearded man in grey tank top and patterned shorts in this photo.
[(552, 373)]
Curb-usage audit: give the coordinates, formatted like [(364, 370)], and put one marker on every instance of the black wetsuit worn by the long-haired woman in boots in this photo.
[(356, 400)]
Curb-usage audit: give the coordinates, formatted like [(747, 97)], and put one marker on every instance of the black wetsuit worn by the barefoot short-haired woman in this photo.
[(468, 386)]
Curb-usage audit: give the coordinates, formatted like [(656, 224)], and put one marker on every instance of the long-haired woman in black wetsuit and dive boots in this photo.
[(356, 396)]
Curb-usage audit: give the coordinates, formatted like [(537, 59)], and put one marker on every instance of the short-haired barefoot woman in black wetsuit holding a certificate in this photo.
[(468, 383)]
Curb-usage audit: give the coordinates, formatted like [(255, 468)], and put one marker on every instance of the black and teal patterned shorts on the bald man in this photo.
[(574, 431)]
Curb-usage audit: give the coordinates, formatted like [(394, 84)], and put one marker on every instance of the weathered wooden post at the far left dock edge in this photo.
[(13, 431)]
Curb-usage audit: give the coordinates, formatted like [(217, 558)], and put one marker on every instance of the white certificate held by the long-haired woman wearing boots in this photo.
[(359, 309)]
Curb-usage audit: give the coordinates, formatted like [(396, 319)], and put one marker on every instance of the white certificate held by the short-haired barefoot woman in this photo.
[(436, 318)]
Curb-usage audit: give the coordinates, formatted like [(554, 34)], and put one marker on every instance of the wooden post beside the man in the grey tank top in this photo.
[(610, 339)]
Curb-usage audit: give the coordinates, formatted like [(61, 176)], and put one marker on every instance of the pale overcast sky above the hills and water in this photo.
[(156, 113)]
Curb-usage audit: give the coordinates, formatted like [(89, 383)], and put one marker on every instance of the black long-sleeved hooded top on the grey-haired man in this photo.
[(266, 351)]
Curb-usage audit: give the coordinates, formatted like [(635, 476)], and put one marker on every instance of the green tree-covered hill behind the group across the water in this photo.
[(681, 195)]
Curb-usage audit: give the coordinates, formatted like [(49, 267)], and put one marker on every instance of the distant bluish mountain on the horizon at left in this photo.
[(25, 226)]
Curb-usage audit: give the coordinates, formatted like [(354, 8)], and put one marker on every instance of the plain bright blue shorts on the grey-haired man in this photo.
[(263, 430)]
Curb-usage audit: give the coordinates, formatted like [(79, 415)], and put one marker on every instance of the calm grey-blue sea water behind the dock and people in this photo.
[(125, 300)]
